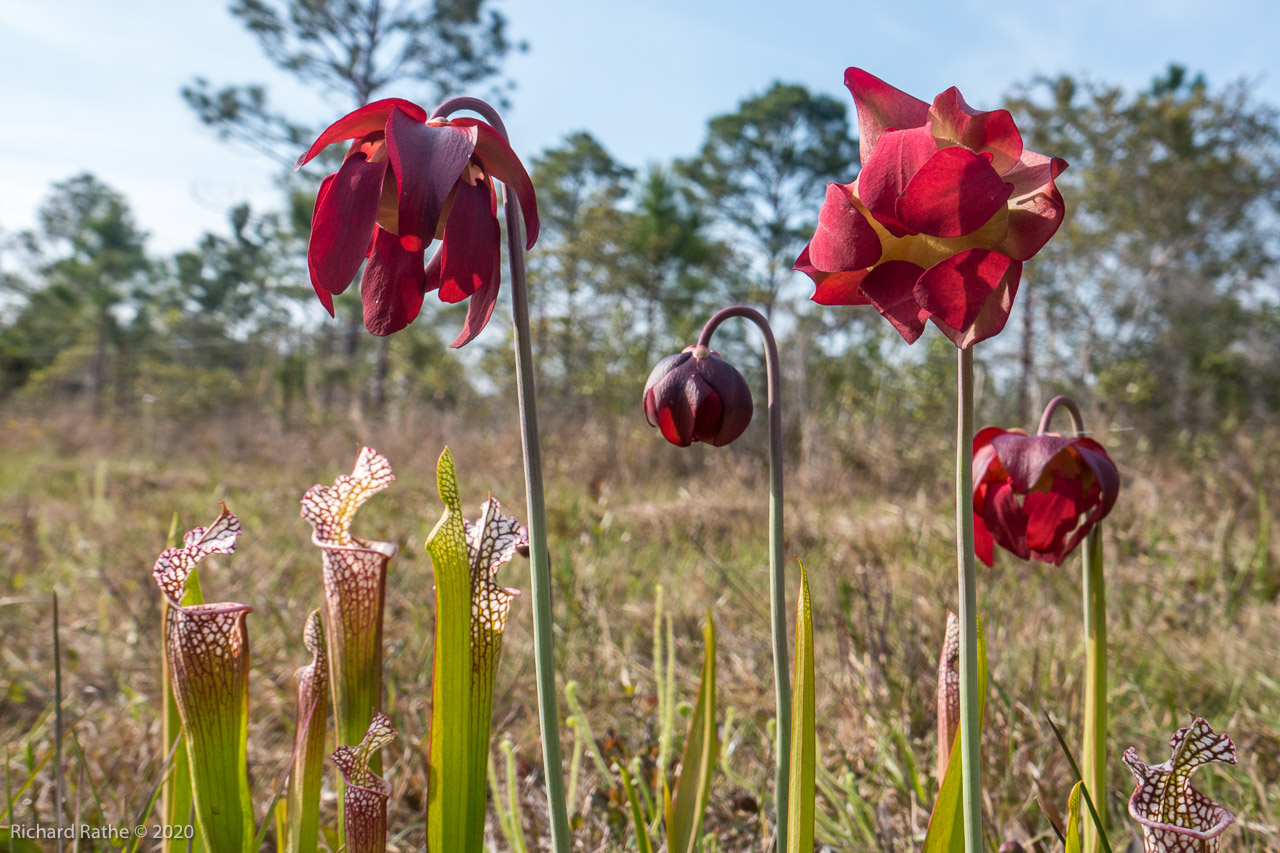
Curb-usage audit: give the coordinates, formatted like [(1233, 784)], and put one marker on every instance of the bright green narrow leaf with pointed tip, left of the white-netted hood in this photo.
[(449, 783)]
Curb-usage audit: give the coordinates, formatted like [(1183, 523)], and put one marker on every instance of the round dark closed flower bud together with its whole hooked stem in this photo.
[(698, 396)]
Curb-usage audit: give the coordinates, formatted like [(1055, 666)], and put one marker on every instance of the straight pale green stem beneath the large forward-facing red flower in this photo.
[(971, 719)]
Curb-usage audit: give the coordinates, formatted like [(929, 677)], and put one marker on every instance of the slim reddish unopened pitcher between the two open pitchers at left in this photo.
[(303, 811)]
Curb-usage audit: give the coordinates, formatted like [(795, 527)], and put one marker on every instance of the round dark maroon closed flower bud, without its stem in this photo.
[(697, 396)]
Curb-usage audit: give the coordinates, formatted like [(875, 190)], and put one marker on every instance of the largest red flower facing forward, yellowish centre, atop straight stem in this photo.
[(948, 207)]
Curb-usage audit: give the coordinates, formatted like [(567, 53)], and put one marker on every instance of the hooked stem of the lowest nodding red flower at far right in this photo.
[(1094, 767)]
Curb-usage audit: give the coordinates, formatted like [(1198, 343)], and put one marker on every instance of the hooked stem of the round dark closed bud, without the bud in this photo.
[(778, 583)]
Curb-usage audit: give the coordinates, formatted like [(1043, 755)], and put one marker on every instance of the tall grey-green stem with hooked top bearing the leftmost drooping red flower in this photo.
[(540, 558)]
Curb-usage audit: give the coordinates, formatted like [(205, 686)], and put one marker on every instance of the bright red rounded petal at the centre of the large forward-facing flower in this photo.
[(954, 194)]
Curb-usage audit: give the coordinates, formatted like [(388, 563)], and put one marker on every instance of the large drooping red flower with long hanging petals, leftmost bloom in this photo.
[(405, 183)]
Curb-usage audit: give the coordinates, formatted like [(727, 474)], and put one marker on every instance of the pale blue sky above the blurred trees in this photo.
[(95, 86)]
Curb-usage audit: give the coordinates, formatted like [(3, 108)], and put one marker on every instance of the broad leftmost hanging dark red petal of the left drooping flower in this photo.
[(344, 221)]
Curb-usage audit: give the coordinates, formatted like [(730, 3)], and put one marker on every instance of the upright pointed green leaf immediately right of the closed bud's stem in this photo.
[(804, 745)]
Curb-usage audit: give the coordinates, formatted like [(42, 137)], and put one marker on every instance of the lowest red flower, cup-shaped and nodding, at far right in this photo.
[(1039, 496)]
